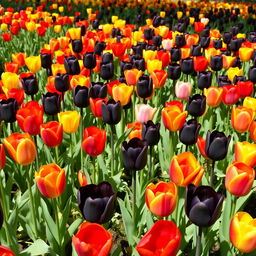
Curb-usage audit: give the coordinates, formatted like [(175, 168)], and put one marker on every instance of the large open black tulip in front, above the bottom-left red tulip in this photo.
[(97, 202)]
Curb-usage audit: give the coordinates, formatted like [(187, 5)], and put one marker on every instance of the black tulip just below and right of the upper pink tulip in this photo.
[(196, 105)]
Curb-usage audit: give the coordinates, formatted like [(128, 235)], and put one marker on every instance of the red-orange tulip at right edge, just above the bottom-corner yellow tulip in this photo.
[(239, 179)]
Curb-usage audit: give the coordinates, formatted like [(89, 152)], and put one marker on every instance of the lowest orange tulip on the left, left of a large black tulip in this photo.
[(51, 180)]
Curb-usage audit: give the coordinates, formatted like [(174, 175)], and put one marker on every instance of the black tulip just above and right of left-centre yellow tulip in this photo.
[(81, 96)]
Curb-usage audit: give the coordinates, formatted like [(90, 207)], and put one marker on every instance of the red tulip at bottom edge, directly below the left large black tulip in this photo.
[(92, 239)]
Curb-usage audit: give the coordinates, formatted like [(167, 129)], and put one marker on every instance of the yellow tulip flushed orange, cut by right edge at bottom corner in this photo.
[(242, 232)]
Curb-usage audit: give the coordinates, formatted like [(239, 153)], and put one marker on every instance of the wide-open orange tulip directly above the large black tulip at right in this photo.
[(185, 169)]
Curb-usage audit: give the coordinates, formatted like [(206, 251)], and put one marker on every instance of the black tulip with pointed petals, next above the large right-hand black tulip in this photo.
[(216, 146)]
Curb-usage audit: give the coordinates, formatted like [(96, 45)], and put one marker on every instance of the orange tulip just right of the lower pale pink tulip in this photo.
[(173, 118)]
